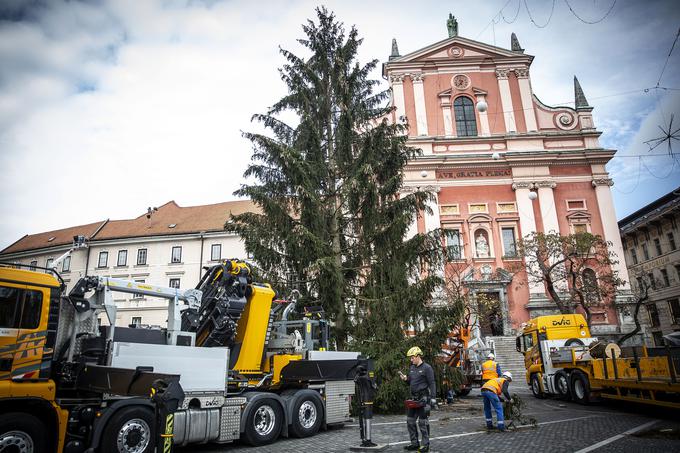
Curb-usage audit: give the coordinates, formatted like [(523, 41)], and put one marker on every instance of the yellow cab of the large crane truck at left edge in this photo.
[(29, 304)]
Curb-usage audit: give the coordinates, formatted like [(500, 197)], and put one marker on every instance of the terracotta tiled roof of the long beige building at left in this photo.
[(190, 219)]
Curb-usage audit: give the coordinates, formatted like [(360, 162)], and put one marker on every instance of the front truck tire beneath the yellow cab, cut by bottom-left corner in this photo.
[(22, 433)]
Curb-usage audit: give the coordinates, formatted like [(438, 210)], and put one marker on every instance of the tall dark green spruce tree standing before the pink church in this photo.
[(332, 223)]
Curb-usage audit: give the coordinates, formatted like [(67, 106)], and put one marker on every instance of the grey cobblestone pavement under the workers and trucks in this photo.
[(561, 427)]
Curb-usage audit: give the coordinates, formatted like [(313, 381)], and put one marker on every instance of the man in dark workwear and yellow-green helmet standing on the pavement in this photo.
[(423, 391)]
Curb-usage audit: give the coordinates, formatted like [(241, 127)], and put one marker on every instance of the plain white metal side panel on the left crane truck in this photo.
[(201, 369)]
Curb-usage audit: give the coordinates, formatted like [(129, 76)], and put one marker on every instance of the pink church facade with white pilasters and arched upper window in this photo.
[(502, 165)]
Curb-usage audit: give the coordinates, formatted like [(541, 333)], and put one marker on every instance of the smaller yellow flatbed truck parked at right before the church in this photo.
[(562, 359)]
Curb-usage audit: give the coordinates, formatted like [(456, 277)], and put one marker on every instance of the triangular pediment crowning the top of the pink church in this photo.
[(458, 48)]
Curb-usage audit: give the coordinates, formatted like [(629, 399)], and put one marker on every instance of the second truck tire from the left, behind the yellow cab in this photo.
[(130, 430)]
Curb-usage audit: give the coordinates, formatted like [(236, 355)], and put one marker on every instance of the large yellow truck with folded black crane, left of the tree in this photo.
[(68, 384)]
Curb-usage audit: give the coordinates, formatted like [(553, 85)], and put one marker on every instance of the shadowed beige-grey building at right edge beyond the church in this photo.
[(651, 240)]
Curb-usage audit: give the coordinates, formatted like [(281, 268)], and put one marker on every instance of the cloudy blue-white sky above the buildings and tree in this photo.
[(109, 107)]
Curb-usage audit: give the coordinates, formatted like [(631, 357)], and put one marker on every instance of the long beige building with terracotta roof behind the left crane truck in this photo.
[(167, 246)]
